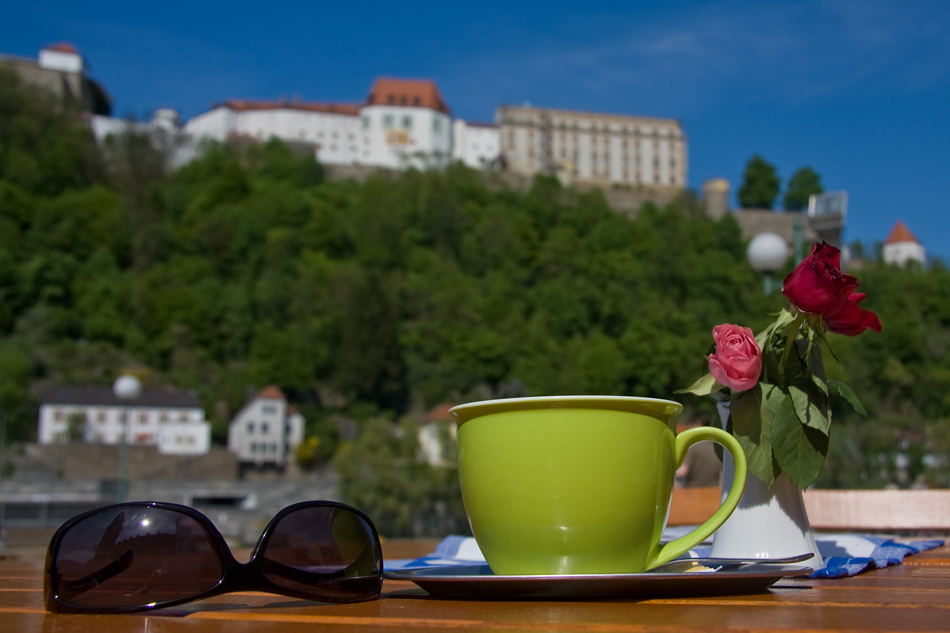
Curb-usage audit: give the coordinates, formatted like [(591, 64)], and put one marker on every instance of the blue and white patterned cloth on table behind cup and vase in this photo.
[(844, 554)]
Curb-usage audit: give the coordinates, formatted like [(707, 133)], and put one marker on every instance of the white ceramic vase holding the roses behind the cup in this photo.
[(770, 521)]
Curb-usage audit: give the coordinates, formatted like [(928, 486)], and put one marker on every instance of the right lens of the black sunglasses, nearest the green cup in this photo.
[(324, 553)]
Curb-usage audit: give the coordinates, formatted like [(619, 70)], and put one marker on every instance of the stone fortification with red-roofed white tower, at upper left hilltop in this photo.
[(61, 70)]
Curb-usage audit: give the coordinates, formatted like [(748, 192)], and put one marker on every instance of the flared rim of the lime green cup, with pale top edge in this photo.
[(633, 404)]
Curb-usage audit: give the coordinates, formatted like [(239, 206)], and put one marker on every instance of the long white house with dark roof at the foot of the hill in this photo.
[(174, 421)]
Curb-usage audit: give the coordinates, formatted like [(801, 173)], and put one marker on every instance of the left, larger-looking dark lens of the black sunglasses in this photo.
[(134, 556)]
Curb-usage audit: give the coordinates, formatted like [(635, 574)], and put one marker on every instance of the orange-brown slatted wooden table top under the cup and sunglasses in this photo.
[(914, 596)]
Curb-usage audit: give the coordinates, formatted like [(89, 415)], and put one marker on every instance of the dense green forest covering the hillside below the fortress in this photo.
[(377, 300)]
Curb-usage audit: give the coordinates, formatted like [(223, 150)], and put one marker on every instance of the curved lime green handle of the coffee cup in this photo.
[(665, 553)]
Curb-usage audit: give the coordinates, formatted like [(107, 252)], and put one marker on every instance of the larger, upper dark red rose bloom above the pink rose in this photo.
[(817, 285)]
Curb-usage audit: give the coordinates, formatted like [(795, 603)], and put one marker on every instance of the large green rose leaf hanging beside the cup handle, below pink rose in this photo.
[(753, 430)]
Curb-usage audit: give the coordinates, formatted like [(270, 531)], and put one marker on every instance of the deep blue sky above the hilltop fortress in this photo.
[(858, 90)]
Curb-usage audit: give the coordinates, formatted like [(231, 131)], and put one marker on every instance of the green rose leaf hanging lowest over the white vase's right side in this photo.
[(800, 450)]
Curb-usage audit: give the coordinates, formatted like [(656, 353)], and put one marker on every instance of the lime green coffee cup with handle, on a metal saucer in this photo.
[(578, 484)]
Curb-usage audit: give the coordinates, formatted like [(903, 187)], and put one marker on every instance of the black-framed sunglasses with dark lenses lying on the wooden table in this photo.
[(145, 555)]
